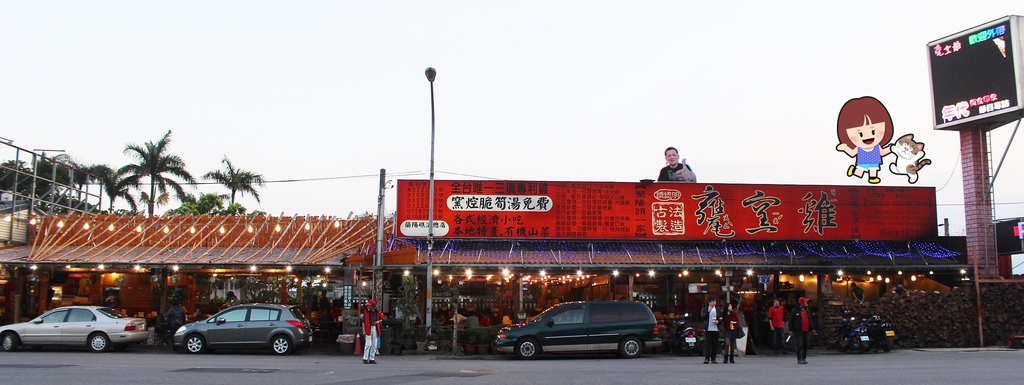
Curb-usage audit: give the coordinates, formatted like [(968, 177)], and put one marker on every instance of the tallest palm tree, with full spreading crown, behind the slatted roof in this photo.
[(154, 163)]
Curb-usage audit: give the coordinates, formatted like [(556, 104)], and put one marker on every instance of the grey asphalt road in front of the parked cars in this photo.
[(325, 367)]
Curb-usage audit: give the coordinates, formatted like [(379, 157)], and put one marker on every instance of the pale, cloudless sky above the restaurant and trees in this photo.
[(319, 97)]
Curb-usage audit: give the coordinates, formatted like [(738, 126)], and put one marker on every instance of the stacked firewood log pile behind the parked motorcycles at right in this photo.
[(938, 319)]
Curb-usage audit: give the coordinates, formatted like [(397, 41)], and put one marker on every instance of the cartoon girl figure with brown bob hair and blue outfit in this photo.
[(865, 130)]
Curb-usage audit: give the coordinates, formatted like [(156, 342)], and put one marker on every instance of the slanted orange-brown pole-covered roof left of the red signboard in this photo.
[(195, 240)]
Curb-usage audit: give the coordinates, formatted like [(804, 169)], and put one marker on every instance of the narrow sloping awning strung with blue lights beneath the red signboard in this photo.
[(676, 253)]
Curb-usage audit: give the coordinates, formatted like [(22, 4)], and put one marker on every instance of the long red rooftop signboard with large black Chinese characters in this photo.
[(666, 211)]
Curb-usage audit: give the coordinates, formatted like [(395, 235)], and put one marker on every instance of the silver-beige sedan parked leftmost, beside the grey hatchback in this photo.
[(98, 328)]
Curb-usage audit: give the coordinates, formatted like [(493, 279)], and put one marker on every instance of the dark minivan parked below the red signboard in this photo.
[(577, 327)]
